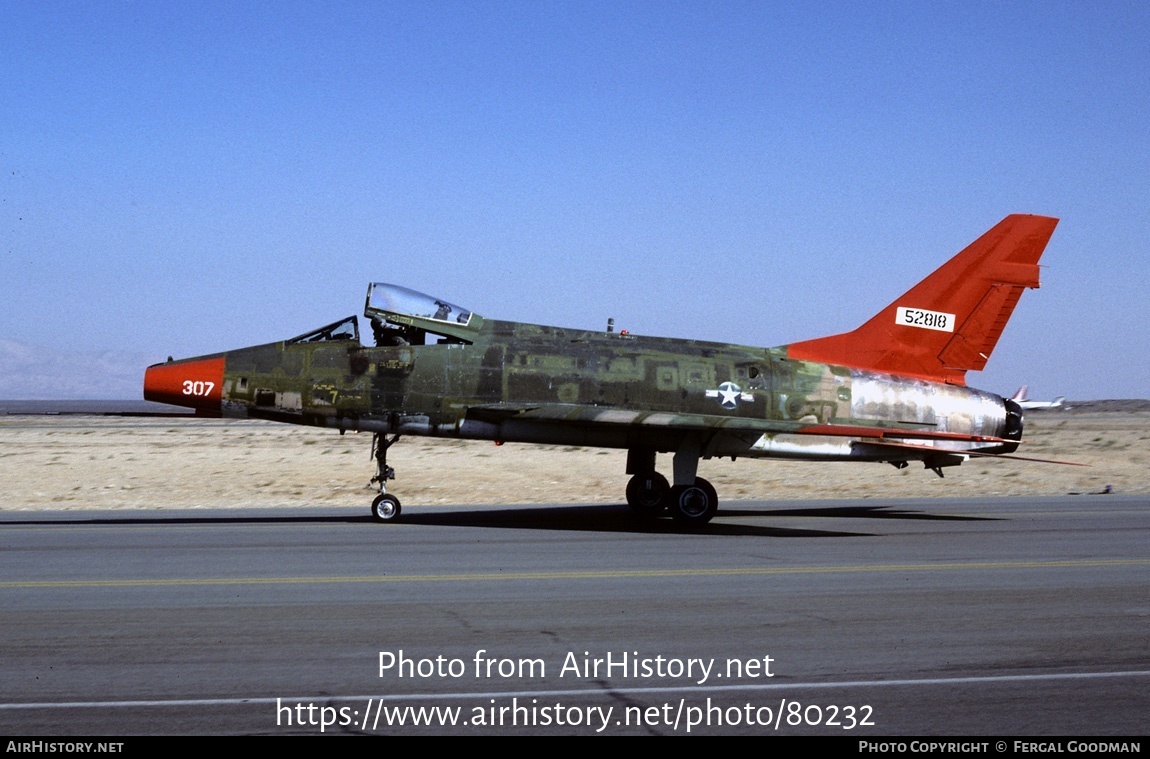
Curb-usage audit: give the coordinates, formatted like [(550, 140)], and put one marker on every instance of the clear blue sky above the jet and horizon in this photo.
[(187, 178)]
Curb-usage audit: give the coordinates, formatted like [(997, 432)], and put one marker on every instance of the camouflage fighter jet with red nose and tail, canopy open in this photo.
[(894, 390)]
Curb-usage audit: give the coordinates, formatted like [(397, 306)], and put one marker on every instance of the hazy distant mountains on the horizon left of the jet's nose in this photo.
[(35, 373)]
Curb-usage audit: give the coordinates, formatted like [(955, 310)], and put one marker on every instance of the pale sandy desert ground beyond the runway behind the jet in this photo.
[(75, 463)]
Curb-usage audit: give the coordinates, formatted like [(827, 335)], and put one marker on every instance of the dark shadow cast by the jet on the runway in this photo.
[(610, 518)]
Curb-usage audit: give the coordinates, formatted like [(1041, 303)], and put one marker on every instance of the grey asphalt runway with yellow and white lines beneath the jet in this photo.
[(929, 618)]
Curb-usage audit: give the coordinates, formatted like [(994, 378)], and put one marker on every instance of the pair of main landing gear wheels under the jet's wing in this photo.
[(692, 501)]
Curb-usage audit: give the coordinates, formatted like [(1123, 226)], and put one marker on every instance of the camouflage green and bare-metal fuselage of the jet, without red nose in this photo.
[(515, 382)]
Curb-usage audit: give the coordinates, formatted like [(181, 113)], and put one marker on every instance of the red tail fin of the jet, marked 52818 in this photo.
[(952, 321)]
